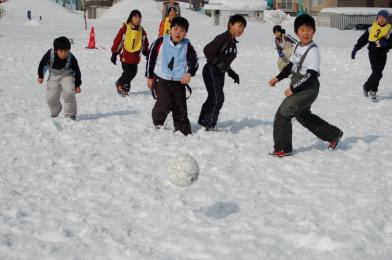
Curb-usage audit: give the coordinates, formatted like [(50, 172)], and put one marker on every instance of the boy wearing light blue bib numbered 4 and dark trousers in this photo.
[(171, 64)]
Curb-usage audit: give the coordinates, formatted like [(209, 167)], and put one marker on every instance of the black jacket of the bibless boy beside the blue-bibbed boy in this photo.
[(221, 51)]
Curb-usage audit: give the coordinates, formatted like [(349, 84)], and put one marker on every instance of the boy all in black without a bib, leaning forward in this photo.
[(219, 53)]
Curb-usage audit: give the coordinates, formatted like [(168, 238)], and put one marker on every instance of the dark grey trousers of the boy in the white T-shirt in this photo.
[(298, 106)]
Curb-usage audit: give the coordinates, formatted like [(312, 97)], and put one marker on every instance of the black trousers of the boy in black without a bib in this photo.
[(214, 80)]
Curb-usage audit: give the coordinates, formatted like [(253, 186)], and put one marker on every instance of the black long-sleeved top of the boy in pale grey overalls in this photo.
[(59, 64)]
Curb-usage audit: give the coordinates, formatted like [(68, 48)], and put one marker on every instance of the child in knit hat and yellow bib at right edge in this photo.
[(377, 39)]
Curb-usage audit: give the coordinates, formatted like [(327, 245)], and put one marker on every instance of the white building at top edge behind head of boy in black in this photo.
[(221, 10)]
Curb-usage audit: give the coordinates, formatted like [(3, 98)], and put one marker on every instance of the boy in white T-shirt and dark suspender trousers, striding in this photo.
[(304, 67)]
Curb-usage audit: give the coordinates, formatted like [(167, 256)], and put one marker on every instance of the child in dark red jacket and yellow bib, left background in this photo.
[(130, 41)]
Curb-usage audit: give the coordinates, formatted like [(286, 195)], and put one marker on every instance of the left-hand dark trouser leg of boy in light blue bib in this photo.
[(163, 105)]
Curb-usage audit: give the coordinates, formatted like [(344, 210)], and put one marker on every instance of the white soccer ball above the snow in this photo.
[(183, 170)]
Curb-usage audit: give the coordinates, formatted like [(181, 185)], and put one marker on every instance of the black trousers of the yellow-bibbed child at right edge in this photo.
[(377, 63)]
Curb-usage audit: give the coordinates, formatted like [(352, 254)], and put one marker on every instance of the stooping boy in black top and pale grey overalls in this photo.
[(64, 78)]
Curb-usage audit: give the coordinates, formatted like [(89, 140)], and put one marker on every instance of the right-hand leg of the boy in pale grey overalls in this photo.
[(68, 88)]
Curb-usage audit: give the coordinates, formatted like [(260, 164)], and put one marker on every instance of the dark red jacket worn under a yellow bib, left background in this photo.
[(118, 46)]
